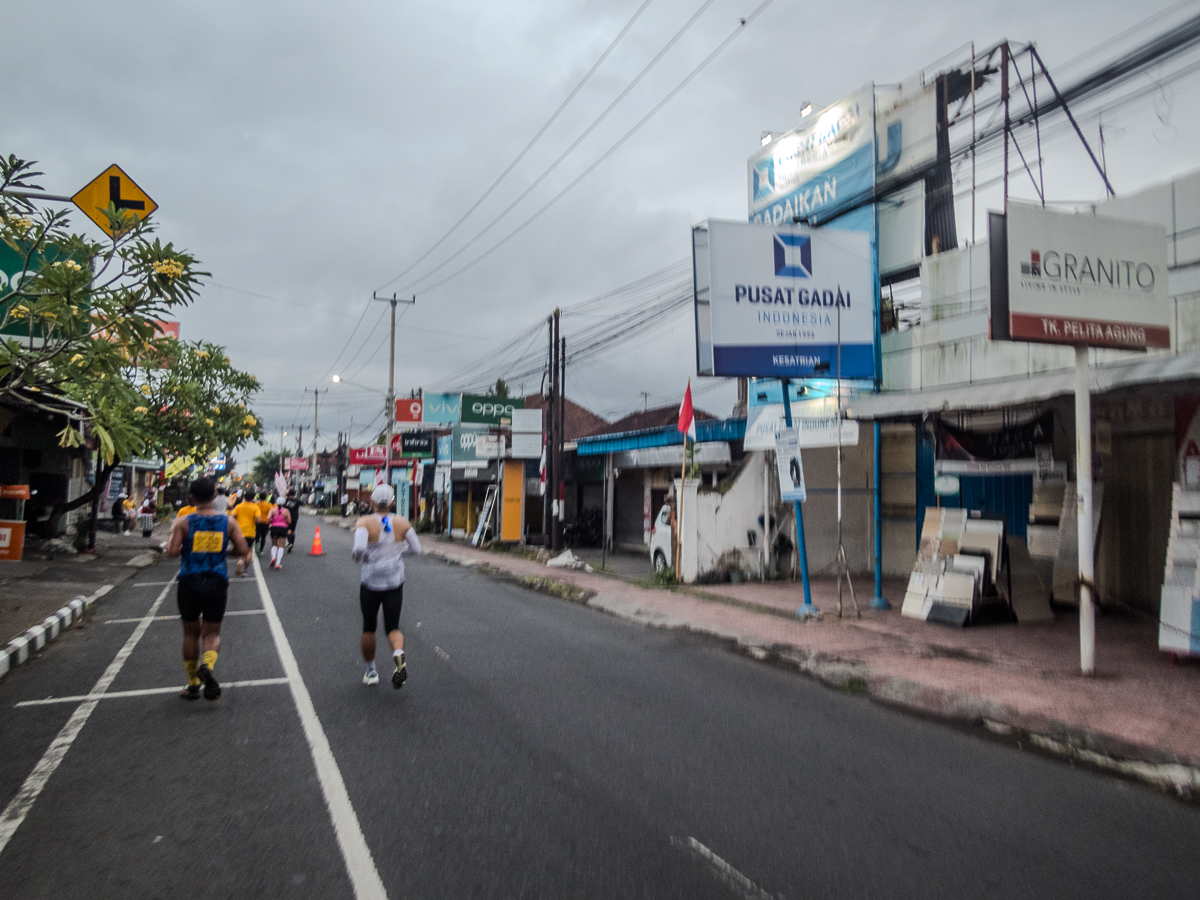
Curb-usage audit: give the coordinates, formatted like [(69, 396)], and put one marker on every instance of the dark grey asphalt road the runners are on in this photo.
[(539, 751)]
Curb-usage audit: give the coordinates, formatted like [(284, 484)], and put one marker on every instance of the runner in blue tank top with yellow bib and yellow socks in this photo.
[(203, 539)]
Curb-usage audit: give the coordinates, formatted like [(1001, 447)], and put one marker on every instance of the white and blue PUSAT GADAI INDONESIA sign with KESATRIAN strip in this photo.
[(773, 301)]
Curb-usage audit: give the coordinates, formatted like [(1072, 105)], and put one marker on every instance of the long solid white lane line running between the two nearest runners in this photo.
[(359, 863)]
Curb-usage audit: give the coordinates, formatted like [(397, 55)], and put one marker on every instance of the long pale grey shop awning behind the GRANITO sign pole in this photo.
[(1017, 392)]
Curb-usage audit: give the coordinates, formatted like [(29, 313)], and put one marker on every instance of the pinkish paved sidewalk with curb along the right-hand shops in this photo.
[(1139, 716)]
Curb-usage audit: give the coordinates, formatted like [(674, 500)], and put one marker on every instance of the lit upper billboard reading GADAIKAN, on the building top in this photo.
[(820, 166)]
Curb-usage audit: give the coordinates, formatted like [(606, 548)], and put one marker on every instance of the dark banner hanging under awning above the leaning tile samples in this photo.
[(1010, 451)]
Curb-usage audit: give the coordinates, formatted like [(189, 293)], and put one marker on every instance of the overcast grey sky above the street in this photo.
[(310, 153)]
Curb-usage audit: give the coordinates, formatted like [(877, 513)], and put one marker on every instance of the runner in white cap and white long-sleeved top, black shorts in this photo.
[(380, 543)]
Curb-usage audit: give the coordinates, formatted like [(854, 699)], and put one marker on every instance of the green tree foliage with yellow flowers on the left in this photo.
[(83, 320)]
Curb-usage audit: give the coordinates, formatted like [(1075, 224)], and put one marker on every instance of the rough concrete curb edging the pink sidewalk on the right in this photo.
[(1081, 747)]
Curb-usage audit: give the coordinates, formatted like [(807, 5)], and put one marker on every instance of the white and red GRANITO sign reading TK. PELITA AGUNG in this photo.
[(1078, 280)]
